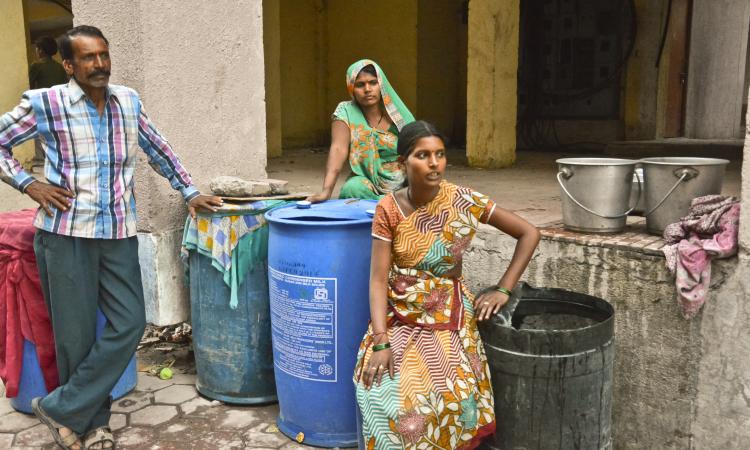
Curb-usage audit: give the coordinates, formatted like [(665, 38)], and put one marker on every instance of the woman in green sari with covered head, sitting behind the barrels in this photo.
[(365, 130)]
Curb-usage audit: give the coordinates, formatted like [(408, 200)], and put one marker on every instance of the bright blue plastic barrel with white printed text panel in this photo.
[(318, 278)]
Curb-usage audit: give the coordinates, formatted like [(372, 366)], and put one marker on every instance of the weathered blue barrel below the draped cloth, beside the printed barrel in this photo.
[(233, 358)]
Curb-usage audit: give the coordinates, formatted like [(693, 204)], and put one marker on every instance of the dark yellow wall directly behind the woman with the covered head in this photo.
[(320, 39)]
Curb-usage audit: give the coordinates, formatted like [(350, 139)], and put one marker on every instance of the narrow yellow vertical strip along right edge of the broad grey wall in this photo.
[(271, 56)]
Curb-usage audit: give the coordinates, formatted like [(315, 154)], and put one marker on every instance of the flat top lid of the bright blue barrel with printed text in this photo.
[(332, 212)]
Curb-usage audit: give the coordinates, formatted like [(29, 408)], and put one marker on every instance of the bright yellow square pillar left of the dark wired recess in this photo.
[(492, 82)]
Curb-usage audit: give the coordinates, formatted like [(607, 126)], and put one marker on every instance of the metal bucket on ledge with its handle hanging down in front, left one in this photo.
[(595, 193)]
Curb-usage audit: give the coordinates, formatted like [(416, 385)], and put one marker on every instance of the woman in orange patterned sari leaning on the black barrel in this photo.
[(421, 377)]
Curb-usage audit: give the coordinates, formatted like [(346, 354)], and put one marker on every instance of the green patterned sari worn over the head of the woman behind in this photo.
[(372, 152)]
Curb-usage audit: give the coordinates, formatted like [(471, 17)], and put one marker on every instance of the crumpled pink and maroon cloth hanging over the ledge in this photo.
[(708, 231)]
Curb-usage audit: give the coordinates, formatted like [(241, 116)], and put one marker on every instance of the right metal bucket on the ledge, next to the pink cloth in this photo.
[(672, 183)]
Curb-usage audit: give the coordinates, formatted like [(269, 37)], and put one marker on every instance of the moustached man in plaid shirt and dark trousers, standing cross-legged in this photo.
[(86, 245)]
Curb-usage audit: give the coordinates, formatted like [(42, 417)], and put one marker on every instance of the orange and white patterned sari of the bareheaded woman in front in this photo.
[(441, 395)]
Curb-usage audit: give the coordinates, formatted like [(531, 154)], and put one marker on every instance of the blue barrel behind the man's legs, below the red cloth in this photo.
[(32, 384)]
